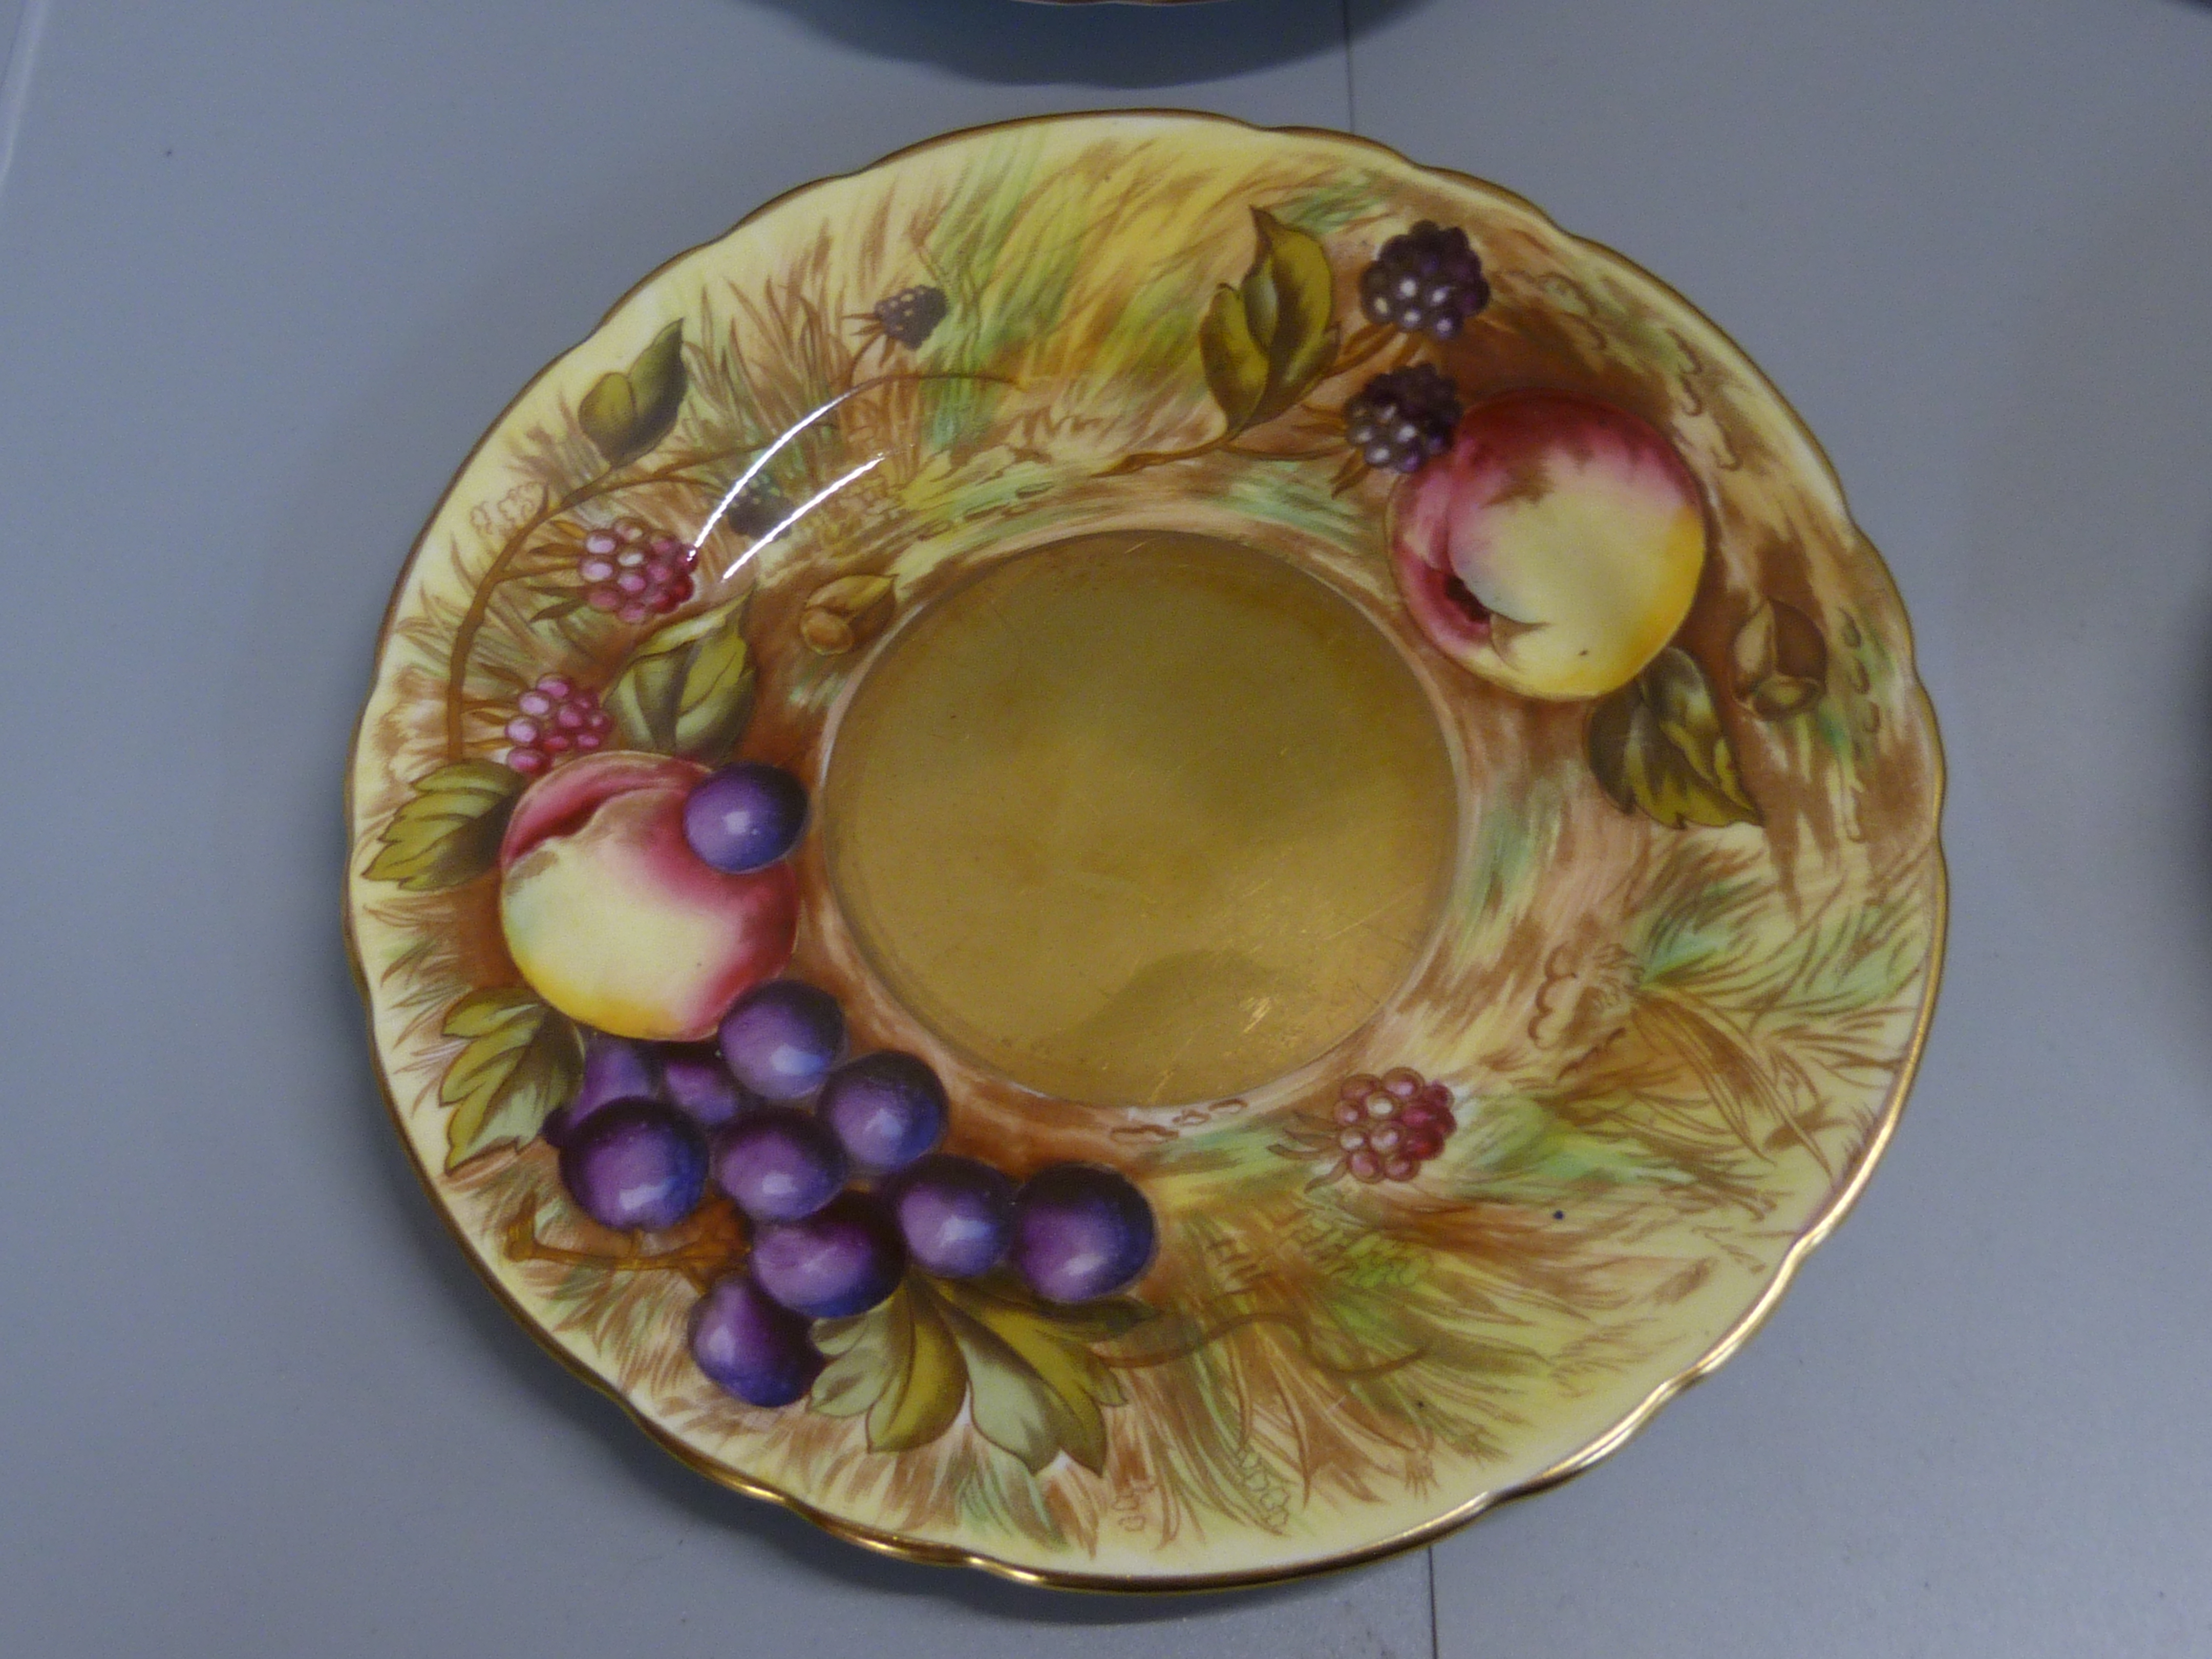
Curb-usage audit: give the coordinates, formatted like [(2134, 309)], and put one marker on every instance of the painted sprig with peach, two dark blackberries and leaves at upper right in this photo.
[(1547, 543)]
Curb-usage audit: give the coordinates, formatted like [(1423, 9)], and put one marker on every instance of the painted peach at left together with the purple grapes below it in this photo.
[(802, 1189)]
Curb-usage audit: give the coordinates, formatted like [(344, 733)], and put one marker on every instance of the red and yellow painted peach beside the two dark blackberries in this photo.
[(1554, 550)]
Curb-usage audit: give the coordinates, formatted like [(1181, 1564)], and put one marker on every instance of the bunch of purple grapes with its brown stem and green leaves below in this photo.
[(842, 1258)]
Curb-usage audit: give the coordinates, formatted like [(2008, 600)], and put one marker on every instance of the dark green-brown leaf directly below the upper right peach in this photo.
[(1658, 747)]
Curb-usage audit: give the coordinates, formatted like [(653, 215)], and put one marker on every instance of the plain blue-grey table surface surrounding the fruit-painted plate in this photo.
[(269, 269)]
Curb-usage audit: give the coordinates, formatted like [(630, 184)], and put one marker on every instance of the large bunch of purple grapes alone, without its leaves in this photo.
[(835, 1162)]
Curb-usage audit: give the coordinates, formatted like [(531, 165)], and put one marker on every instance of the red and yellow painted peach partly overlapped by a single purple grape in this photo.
[(616, 921)]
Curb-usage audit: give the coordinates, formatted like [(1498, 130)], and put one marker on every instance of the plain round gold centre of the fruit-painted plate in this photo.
[(1140, 817)]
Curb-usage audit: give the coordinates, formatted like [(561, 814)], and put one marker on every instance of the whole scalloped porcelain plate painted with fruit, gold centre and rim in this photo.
[(1145, 853)]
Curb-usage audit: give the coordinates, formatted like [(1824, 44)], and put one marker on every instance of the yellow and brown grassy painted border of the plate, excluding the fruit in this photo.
[(1680, 999)]
